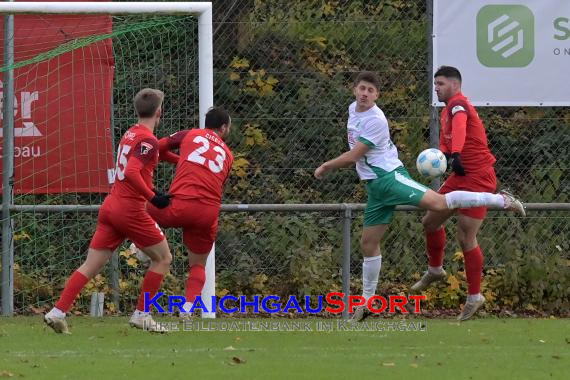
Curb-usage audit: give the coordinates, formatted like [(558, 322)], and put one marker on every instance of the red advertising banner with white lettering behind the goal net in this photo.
[(62, 104)]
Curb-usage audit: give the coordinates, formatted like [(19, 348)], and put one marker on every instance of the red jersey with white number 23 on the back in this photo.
[(204, 165)]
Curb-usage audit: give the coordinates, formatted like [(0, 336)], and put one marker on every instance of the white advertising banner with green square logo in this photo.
[(509, 53)]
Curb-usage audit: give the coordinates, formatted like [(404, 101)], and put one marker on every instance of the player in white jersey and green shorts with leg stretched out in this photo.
[(387, 182)]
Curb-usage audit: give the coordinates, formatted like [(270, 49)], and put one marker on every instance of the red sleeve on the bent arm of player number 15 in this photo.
[(143, 153)]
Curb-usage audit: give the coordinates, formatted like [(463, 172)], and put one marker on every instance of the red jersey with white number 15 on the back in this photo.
[(136, 159)]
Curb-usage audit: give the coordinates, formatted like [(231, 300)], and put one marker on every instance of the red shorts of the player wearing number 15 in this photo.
[(121, 219)]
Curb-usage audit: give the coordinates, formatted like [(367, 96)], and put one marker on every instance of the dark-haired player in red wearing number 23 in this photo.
[(202, 169)]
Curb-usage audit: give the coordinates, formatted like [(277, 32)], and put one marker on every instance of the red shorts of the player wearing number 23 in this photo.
[(199, 222)]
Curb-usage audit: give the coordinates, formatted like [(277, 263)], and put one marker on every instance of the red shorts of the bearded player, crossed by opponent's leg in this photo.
[(483, 180)]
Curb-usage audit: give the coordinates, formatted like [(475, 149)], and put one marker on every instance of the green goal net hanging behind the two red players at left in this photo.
[(75, 76)]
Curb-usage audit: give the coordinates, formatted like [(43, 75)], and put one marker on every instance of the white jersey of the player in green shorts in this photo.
[(371, 128)]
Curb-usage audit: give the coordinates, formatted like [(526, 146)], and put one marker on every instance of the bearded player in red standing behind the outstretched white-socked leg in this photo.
[(464, 142)]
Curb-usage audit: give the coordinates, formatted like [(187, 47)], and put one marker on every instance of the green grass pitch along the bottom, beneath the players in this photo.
[(108, 348)]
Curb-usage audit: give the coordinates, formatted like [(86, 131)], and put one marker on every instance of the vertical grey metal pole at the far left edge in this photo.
[(8, 170)]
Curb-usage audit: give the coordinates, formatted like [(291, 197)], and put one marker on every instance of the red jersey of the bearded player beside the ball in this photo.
[(462, 131)]
